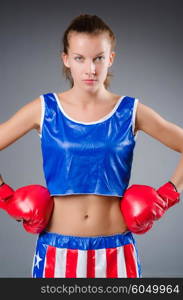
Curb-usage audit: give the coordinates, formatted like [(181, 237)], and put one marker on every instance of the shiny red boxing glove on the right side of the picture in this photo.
[(141, 205)]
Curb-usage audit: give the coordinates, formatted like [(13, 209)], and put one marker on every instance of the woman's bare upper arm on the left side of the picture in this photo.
[(24, 120)]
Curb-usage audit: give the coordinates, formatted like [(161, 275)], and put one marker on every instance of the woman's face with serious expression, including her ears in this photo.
[(89, 58)]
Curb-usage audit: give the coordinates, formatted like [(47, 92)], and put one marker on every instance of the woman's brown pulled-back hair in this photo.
[(90, 24)]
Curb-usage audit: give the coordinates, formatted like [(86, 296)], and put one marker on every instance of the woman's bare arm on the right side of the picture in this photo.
[(164, 131)]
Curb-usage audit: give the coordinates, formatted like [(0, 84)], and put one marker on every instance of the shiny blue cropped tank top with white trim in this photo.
[(87, 157)]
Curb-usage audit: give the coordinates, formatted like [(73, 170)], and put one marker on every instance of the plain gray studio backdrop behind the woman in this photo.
[(148, 66)]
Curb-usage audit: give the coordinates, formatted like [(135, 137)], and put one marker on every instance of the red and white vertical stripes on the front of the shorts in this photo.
[(108, 263)]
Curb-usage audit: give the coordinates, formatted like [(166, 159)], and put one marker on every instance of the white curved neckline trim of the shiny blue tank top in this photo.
[(89, 123)]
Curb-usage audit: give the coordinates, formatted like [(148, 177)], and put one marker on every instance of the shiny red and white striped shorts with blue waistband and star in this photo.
[(64, 256)]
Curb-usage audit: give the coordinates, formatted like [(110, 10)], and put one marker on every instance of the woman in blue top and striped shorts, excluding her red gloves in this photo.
[(88, 136)]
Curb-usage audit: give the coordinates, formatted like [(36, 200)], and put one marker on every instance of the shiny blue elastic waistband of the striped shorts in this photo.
[(85, 243)]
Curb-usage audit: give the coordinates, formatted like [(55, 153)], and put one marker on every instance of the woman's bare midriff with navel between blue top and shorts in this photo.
[(86, 215)]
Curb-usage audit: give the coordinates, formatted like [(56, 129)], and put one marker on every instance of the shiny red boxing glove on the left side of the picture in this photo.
[(32, 204)]
